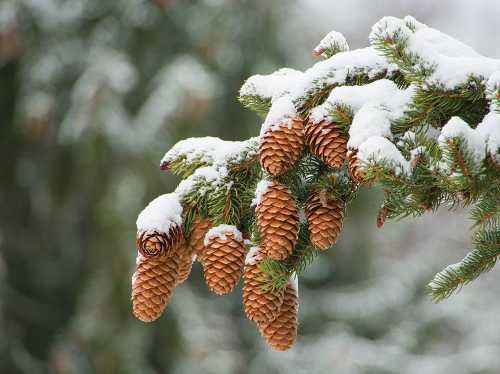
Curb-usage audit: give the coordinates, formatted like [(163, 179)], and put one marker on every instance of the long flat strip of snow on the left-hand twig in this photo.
[(209, 150)]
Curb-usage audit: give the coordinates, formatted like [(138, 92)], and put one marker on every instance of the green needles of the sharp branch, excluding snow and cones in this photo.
[(429, 175)]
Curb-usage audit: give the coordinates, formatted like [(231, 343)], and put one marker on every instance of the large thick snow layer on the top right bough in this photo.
[(452, 62)]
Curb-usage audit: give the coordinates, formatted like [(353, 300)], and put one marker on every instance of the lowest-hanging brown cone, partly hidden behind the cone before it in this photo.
[(281, 333)]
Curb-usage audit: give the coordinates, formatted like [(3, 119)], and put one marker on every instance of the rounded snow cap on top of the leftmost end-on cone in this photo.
[(160, 214)]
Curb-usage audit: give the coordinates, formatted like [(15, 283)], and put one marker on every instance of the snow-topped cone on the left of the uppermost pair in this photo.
[(281, 147)]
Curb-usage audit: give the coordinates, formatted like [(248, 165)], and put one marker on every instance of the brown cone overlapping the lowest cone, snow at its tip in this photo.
[(260, 305)]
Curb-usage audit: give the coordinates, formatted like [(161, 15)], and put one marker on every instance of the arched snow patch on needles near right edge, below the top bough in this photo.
[(475, 140)]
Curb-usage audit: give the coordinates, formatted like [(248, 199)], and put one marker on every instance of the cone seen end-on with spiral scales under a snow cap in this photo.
[(153, 243)]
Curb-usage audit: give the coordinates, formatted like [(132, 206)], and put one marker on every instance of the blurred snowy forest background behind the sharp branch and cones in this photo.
[(93, 92)]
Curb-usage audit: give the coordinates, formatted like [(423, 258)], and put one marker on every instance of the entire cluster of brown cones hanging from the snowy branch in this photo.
[(165, 258)]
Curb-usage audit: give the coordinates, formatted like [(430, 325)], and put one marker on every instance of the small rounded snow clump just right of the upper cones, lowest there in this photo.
[(380, 150)]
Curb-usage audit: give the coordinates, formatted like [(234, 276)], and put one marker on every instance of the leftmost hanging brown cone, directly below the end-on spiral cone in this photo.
[(152, 285)]
